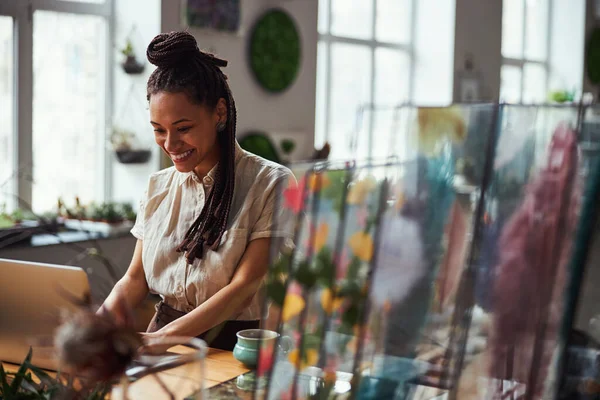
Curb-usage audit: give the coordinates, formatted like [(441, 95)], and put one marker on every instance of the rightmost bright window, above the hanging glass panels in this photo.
[(525, 50)]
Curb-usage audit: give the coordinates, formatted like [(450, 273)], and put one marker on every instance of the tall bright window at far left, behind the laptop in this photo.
[(62, 90)]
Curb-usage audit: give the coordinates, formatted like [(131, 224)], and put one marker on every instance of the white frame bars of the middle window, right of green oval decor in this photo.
[(328, 39)]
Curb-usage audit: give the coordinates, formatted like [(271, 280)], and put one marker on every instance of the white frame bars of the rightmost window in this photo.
[(522, 62)]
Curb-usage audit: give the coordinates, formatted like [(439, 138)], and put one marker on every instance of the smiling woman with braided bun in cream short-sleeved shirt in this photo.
[(206, 225)]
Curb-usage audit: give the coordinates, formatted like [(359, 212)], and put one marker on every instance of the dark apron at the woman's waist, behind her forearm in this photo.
[(222, 336)]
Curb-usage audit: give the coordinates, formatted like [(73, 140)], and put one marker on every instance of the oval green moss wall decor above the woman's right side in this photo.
[(275, 51)]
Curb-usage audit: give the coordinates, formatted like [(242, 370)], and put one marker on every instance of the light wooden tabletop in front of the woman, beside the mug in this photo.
[(219, 367)]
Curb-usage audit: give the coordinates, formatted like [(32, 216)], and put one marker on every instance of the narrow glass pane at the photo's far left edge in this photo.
[(7, 131)]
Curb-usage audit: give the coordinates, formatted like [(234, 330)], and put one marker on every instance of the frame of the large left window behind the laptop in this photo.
[(22, 13)]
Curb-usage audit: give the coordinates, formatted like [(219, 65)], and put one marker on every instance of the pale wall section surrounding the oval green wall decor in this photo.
[(291, 111)]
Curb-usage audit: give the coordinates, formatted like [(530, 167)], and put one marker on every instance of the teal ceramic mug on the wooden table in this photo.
[(249, 343)]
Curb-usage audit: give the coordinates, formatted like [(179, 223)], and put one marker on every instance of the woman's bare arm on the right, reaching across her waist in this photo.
[(229, 300)]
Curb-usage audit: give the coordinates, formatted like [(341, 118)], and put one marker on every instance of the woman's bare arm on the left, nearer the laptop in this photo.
[(132, 289)]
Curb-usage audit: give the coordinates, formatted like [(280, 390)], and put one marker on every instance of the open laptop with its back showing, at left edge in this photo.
[(32, 296)]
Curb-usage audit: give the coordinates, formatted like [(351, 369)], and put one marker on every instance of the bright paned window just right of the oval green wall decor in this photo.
[(364, 67)]
